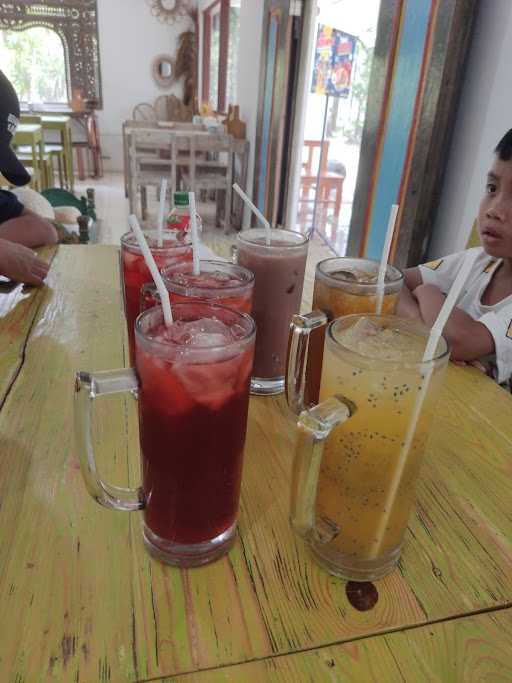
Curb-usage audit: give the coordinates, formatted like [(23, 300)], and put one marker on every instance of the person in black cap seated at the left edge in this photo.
[(20, 229)]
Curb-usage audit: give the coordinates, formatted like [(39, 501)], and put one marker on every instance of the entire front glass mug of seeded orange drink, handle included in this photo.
[(360, 449)]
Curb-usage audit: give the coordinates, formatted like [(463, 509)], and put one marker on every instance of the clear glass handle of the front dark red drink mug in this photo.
[(87, 388)]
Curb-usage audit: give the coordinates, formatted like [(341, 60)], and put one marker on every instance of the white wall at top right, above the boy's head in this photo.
[(484, 115)]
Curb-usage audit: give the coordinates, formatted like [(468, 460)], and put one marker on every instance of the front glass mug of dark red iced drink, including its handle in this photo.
[(192, 384)]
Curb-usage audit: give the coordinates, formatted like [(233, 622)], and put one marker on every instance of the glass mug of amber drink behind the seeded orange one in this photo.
[(343, 286)]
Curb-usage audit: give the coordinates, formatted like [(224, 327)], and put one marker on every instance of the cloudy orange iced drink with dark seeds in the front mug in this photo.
[(378, 366)]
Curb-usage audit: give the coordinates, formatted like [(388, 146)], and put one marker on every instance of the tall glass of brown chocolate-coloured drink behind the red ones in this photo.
[(279, 277)]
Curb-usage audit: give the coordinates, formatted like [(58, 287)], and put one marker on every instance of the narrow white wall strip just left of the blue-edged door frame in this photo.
[(249, 59)]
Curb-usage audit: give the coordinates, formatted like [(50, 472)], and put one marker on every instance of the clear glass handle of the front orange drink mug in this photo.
[(314, 425)]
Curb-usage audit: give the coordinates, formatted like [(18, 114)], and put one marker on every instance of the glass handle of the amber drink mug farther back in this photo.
[(298, 342)]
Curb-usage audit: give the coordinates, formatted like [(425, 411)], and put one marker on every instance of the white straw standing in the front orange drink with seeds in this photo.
[(428, 355)]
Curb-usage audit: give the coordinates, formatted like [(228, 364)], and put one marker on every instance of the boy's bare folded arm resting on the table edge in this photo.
[(468, 338)]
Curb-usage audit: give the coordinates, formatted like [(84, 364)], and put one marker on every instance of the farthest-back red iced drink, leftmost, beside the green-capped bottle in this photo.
[(176, 249)]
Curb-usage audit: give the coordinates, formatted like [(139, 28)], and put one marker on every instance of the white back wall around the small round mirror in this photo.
[(129, 37)]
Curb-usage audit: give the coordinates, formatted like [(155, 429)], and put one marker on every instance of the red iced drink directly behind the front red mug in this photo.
[(218, 281)]
